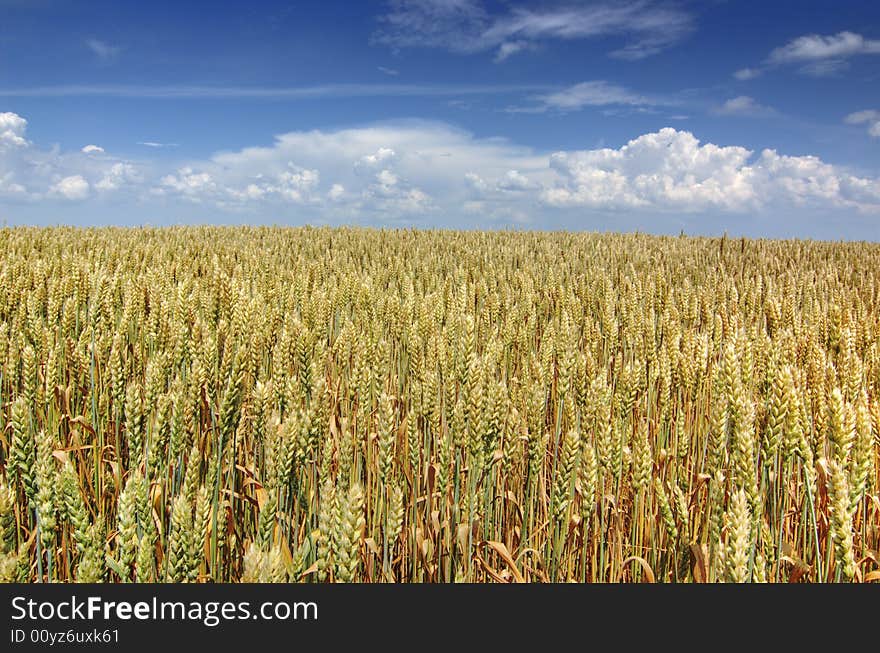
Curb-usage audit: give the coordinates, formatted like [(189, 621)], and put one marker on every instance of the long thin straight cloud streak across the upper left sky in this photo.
[(264, 92)]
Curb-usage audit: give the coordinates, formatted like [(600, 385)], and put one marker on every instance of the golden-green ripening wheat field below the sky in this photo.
[(209, 404)]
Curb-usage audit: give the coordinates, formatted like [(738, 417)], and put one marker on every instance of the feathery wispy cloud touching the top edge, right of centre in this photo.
[(466, 26)]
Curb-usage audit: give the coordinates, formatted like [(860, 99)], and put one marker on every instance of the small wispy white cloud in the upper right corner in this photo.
[(815, 54)]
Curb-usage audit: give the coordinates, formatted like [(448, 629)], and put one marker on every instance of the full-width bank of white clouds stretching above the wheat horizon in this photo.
[(421, 172)]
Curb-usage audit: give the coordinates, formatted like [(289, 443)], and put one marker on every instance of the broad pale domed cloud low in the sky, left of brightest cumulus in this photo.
[(392, 171)]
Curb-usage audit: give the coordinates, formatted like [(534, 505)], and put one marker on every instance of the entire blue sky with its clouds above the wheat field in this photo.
[(756, 118)]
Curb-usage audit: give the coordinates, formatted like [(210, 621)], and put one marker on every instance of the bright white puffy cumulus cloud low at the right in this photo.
[(671, 170)]
